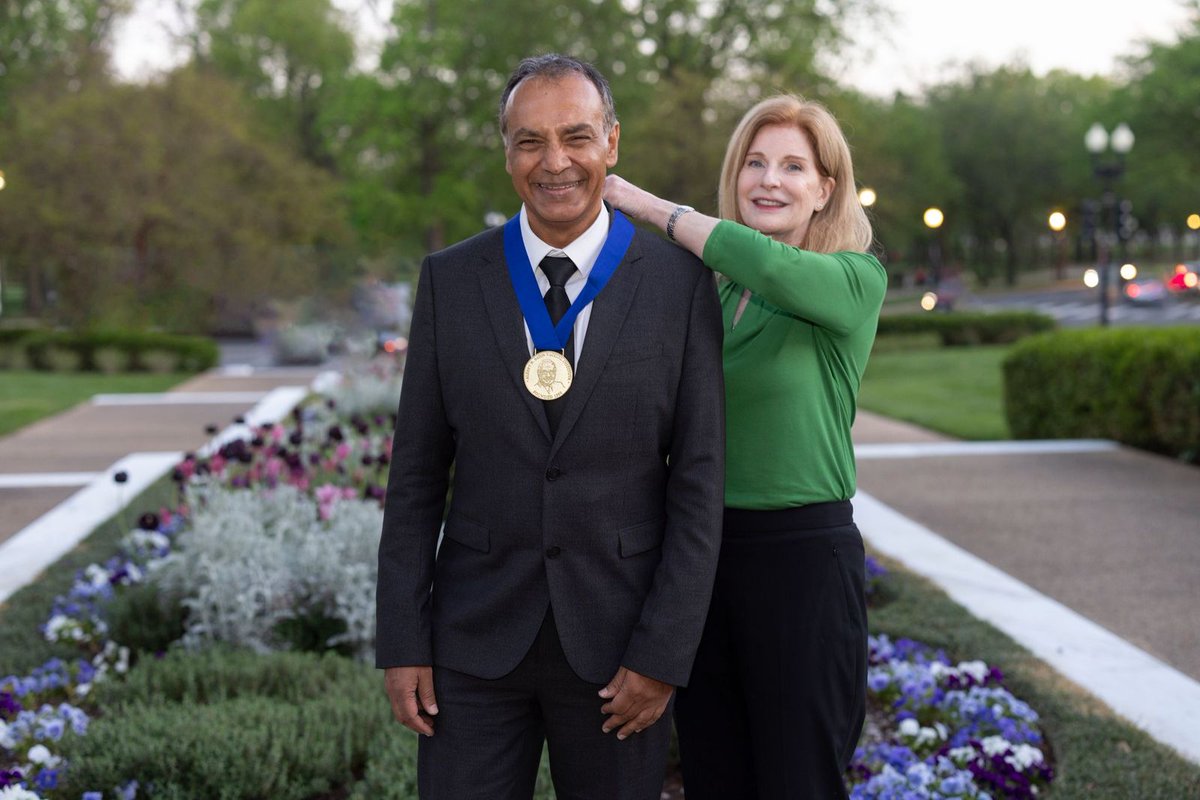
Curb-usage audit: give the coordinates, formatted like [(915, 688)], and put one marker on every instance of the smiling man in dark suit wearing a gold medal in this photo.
[(571, 588)]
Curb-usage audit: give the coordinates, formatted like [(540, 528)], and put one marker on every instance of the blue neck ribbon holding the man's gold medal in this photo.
[(545, 335)]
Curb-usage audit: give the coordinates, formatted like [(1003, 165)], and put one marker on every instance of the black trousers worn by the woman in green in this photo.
[(778, 694)]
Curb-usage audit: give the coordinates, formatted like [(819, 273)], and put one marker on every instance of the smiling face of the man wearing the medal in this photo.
[(559, 154)]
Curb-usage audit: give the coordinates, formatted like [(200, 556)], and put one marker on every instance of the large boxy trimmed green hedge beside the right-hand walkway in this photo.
[(1137, 386)]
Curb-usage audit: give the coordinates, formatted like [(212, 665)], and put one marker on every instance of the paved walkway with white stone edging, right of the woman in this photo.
[(1087, 552)]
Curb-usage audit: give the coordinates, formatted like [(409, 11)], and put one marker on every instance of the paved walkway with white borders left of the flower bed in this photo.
[(56, 476)]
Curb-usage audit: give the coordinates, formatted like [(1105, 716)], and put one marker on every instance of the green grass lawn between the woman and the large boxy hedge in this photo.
[(958, 392)]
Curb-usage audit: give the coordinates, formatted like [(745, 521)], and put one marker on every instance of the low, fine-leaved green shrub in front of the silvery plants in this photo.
[(233, 725)]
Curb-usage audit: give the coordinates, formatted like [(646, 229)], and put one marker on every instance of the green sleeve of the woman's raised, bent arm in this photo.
[(839, 292)]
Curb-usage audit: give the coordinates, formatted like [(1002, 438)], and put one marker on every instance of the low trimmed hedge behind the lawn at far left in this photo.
[(106, 351)]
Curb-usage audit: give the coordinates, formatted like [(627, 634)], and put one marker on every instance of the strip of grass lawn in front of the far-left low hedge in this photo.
[(28, 396)]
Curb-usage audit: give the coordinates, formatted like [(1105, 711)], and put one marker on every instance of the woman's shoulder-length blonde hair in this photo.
[(842, 225)]
